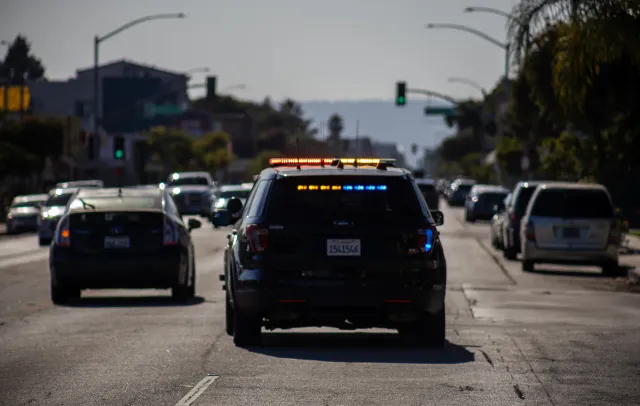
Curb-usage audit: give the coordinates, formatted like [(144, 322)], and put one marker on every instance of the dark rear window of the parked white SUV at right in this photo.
[(573, 204)]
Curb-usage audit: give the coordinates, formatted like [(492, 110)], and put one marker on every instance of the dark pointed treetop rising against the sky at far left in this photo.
[(19, 63)]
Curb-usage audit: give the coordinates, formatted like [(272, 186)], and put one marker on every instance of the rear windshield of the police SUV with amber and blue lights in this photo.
[(361, 200)]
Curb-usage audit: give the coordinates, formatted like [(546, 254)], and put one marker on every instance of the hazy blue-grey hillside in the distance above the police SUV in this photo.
[(383, 121)]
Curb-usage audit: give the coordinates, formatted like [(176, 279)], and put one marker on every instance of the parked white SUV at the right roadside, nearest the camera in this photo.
[(570, 223)]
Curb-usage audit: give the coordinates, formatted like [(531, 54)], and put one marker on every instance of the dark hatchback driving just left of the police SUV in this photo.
[(128, 238)]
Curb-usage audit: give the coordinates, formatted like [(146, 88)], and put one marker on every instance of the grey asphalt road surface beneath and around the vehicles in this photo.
[(554, 337)]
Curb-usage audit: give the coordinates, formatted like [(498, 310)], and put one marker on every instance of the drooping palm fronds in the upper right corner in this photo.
[(592, 32)]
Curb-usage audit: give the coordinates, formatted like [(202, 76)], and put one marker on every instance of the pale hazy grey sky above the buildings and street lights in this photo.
[(303, 49)]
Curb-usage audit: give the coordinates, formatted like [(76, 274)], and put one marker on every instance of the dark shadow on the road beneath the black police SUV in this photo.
[(358, 347)]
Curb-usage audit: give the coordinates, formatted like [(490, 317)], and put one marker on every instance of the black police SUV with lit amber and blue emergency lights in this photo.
[(323, 242)]
